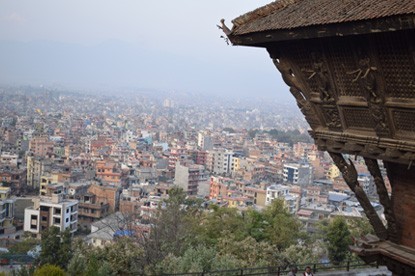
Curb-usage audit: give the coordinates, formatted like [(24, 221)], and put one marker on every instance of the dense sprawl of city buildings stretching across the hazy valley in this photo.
[(80, 162)]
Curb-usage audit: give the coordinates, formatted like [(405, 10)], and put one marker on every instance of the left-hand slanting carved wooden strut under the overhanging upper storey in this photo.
[(350, 176)]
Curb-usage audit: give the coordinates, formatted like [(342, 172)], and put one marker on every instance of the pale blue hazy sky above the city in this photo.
[(106, 44)]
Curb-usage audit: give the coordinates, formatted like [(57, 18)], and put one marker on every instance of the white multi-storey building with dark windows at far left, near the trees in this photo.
[(51, 211)]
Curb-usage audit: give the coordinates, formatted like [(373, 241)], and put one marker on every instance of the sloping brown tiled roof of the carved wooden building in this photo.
[(289, 14)]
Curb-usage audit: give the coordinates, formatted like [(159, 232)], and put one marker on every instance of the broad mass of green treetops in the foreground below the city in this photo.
[(186, 237)]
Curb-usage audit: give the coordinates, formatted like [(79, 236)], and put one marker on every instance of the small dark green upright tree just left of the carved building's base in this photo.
[(338, 240)]
